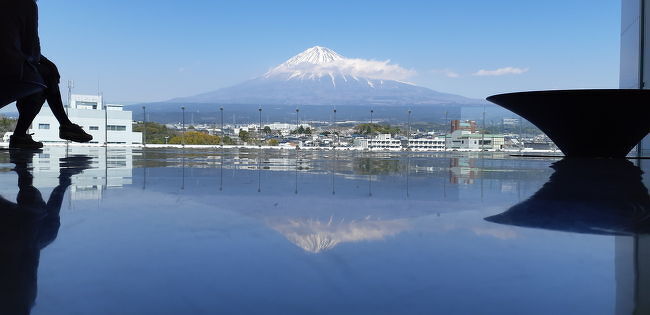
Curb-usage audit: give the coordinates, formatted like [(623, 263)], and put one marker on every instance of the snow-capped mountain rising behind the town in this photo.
[(320, 76)]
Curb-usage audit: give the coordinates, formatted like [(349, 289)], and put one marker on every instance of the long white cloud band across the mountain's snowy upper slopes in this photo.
[(347, 66)]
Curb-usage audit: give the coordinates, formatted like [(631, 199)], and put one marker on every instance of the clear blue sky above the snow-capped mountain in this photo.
[(143, 50)]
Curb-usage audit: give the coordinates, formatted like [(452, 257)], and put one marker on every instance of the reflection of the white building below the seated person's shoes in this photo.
[(110, 168)]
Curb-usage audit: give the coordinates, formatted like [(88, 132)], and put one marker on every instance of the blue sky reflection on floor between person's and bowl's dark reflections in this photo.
[(372, 247)]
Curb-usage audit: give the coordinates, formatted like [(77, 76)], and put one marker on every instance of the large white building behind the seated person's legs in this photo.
[(86, 111)]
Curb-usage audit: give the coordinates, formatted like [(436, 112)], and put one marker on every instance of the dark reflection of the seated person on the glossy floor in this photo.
[(26, 227)]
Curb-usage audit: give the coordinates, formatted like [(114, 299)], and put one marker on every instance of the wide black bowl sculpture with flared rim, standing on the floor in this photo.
[(585, 123)]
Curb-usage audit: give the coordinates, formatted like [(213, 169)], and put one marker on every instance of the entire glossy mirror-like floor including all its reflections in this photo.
[(126, 231)]
